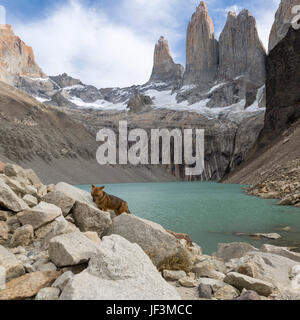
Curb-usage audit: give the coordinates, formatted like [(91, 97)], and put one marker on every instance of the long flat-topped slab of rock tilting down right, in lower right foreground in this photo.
[(240, 281)]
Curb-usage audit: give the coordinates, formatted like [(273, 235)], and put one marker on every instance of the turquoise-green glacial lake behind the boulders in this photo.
[(209, 212)]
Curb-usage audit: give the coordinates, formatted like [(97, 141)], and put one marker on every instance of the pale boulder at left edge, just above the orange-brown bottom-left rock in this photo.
[(13, 267)]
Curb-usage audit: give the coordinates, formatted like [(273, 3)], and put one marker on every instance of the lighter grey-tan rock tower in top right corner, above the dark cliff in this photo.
[(282, 23)]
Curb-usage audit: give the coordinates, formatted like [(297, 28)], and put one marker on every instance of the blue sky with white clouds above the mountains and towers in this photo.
[(110, 43)]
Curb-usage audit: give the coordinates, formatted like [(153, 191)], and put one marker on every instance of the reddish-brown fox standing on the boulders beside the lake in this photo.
[(106, 201)]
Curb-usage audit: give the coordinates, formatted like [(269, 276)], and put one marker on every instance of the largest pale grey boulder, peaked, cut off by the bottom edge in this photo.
[(119, 271)]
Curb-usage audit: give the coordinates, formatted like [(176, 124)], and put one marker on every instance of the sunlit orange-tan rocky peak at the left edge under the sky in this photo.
[(16, 58)]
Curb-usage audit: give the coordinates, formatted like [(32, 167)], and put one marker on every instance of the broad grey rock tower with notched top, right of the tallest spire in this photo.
[(240, 50)]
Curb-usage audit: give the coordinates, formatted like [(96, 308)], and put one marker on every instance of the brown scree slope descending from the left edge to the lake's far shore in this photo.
[(58, 148)]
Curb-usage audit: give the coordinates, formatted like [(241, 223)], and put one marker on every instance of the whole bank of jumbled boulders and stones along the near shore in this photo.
[(56, 245)]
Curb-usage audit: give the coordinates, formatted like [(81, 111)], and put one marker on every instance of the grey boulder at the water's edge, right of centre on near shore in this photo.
[(228, 251)]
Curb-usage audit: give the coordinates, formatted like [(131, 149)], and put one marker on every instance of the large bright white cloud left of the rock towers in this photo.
[(84, 43)]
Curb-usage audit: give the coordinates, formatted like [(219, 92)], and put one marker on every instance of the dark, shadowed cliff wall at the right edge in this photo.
[(282, 86)]
